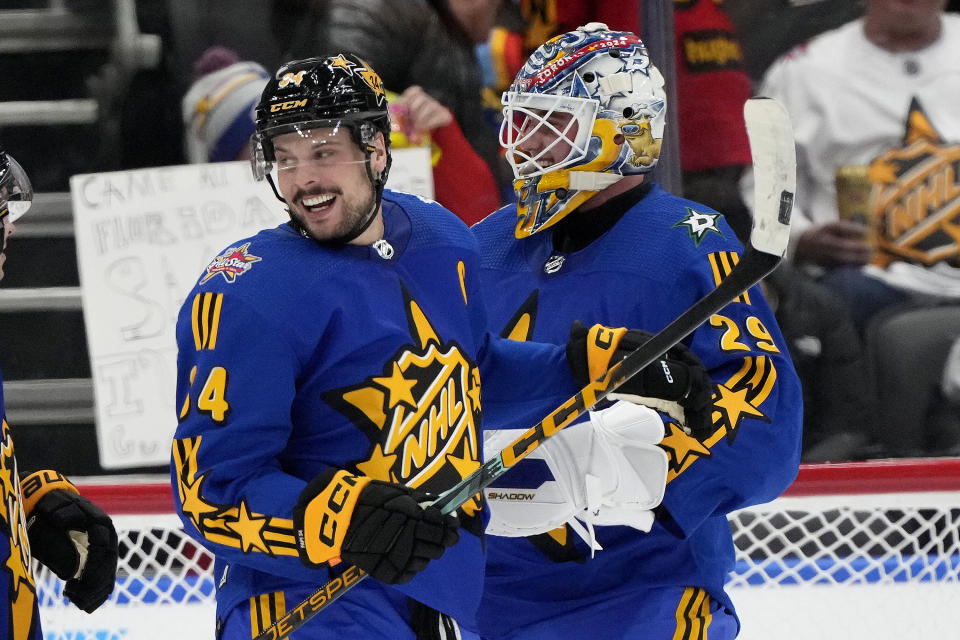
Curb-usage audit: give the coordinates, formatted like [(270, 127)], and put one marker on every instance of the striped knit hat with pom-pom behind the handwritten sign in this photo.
[(218, 111)]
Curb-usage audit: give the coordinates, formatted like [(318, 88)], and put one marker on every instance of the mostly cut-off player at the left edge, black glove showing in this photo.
[(43, 517)]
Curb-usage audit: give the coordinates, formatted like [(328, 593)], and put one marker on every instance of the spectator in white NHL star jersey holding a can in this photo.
[(876, 98)]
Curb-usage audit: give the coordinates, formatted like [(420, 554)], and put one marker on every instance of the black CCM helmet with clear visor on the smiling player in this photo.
[(317, 98)]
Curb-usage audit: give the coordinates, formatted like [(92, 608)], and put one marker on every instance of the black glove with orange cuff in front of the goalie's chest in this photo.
[(676, 384)]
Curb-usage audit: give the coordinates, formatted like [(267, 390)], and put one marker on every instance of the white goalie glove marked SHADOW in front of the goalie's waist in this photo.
[(607, 471)]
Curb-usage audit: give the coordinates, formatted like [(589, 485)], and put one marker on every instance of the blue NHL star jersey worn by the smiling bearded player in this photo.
[(296, 357)]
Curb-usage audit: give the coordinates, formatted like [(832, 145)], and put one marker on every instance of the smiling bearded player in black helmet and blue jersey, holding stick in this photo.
[(329, 376)]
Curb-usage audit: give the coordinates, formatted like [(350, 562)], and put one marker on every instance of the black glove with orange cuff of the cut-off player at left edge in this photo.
[(72, 536)]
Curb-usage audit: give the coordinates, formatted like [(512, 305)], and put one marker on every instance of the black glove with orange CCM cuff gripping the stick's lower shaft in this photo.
[(378, 526)]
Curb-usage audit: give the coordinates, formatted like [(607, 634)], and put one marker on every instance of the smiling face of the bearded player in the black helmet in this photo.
[(322, 176)]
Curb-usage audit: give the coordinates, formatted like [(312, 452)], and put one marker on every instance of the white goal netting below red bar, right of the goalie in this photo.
[(853, 551)]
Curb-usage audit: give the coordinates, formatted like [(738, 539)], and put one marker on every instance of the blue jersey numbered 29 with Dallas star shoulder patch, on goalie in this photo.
[(658, 259)]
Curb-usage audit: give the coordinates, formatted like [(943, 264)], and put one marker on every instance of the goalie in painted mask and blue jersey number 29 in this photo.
[(581, 549)]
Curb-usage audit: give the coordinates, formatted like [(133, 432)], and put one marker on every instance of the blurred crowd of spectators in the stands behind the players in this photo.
[(875, 384)]
